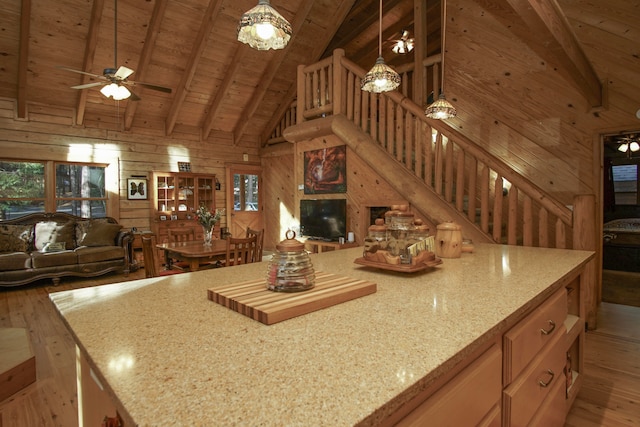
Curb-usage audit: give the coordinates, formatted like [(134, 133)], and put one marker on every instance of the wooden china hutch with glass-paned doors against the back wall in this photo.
[(175, 199)]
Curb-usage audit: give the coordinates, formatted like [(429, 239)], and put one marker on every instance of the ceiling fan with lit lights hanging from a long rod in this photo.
[(115, 81)]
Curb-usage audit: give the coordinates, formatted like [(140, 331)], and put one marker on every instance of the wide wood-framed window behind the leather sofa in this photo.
[(76, 189)]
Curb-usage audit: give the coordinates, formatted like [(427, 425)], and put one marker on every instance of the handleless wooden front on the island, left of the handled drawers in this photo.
[(468, 399)]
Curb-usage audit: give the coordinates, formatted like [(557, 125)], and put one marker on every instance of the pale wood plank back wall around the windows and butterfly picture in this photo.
[(50, 134)]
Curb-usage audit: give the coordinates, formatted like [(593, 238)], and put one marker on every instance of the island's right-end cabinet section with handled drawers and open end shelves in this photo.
[(542, 361)]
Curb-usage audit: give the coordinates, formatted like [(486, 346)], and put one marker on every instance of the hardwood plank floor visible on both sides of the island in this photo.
[(610, 395)]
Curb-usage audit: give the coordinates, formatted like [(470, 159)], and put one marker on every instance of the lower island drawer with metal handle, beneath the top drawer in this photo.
[(524, 396)]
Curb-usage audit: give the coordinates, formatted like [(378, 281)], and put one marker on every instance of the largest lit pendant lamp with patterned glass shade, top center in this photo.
[(263, 28)]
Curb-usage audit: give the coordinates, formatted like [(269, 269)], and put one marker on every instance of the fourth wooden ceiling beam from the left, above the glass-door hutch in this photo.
[(199, 45)]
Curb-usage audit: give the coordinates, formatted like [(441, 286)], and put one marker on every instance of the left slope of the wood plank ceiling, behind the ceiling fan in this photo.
[(189, 46)]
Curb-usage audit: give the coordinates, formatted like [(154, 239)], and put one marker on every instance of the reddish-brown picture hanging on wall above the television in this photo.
[(325, 170)]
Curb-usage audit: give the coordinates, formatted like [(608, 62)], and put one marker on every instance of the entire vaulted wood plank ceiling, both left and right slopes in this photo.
[(219, 84)]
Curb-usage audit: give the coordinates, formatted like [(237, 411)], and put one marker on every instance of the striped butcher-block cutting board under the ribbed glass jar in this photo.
[(252, 298)]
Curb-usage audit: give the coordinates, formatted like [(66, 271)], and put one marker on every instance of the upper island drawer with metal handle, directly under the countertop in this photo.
[(531, 334)]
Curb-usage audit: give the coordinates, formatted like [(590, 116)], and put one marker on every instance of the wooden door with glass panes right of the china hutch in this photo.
[(244, 198)]
